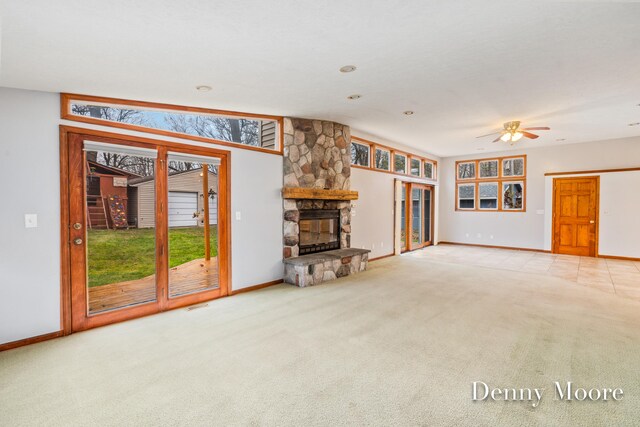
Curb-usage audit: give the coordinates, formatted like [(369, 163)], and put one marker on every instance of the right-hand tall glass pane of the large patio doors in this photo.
[(193, 238)]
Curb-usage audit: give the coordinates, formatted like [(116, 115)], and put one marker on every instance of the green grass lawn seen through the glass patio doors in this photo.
[(121, 255)]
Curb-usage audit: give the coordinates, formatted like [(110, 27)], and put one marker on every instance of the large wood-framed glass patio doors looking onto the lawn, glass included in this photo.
[(106, 281)]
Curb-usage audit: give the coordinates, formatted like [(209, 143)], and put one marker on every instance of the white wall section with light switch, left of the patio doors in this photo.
[(29, 177)]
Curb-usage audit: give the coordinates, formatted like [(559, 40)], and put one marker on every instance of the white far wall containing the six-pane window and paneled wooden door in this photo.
[(532, 229)]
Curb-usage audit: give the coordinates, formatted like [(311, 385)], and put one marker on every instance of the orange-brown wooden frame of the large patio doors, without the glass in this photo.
[(70, 135)]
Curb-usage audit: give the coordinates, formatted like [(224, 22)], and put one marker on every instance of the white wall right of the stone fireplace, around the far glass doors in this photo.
[(373, 224)]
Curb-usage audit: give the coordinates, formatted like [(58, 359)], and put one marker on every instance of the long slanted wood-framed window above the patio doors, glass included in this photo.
[(200, 124)]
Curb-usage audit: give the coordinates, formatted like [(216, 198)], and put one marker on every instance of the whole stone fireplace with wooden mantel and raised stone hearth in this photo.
[(317, 202)]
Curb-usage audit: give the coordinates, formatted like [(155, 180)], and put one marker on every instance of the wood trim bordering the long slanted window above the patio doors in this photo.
[(66, 98)]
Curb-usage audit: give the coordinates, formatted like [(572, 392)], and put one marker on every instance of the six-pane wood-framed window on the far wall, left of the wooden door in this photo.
[(499, 184)]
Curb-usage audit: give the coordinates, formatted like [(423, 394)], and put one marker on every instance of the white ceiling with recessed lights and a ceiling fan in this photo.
[(464, 67)]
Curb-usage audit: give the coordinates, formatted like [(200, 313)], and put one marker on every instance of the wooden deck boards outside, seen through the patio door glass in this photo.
[(190, 277)]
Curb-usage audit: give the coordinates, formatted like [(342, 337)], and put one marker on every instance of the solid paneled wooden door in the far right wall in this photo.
[(575, 216)]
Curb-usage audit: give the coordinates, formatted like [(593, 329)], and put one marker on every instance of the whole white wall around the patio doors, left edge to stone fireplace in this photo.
[(29, 173)]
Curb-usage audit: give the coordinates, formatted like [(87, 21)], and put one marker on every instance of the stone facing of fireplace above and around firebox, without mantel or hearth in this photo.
[(317, 154)]
